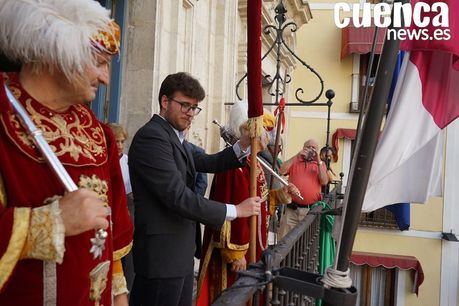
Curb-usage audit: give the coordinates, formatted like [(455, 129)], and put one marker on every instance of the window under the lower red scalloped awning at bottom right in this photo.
[(375, 286)]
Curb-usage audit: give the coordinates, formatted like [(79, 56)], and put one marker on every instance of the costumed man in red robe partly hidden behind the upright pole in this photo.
[(225, 251)]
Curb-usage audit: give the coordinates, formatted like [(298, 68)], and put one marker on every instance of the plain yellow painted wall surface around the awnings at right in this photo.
[(319, 44)]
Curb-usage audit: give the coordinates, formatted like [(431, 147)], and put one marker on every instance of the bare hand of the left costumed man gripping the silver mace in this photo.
[(82, 211)]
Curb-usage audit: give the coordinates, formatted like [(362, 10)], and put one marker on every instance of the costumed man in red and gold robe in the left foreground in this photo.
[(64, 49)]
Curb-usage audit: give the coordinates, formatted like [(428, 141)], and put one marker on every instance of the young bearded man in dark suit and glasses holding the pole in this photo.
[(163, 172)]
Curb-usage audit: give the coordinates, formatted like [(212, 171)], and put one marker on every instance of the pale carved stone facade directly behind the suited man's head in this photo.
[(206, 38)]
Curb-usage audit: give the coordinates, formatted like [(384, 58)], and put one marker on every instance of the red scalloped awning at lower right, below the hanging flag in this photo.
[(391, 262)]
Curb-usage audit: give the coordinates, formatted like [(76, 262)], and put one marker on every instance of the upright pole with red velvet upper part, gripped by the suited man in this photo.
[(255, 105)]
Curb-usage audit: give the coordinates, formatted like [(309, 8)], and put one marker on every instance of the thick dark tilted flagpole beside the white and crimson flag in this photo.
[(360, 172)]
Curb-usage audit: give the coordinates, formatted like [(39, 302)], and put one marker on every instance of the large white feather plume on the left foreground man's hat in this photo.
[(51, 32)]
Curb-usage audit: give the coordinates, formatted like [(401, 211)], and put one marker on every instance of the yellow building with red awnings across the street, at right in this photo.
[(321, 44)]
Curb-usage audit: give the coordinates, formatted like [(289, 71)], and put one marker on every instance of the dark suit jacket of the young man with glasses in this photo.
[(162, 174)]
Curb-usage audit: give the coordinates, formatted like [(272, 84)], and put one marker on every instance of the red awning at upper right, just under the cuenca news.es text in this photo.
[(360, 40)]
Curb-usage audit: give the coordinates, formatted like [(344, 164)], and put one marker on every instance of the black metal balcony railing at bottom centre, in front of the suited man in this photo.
[(299, 249)]
